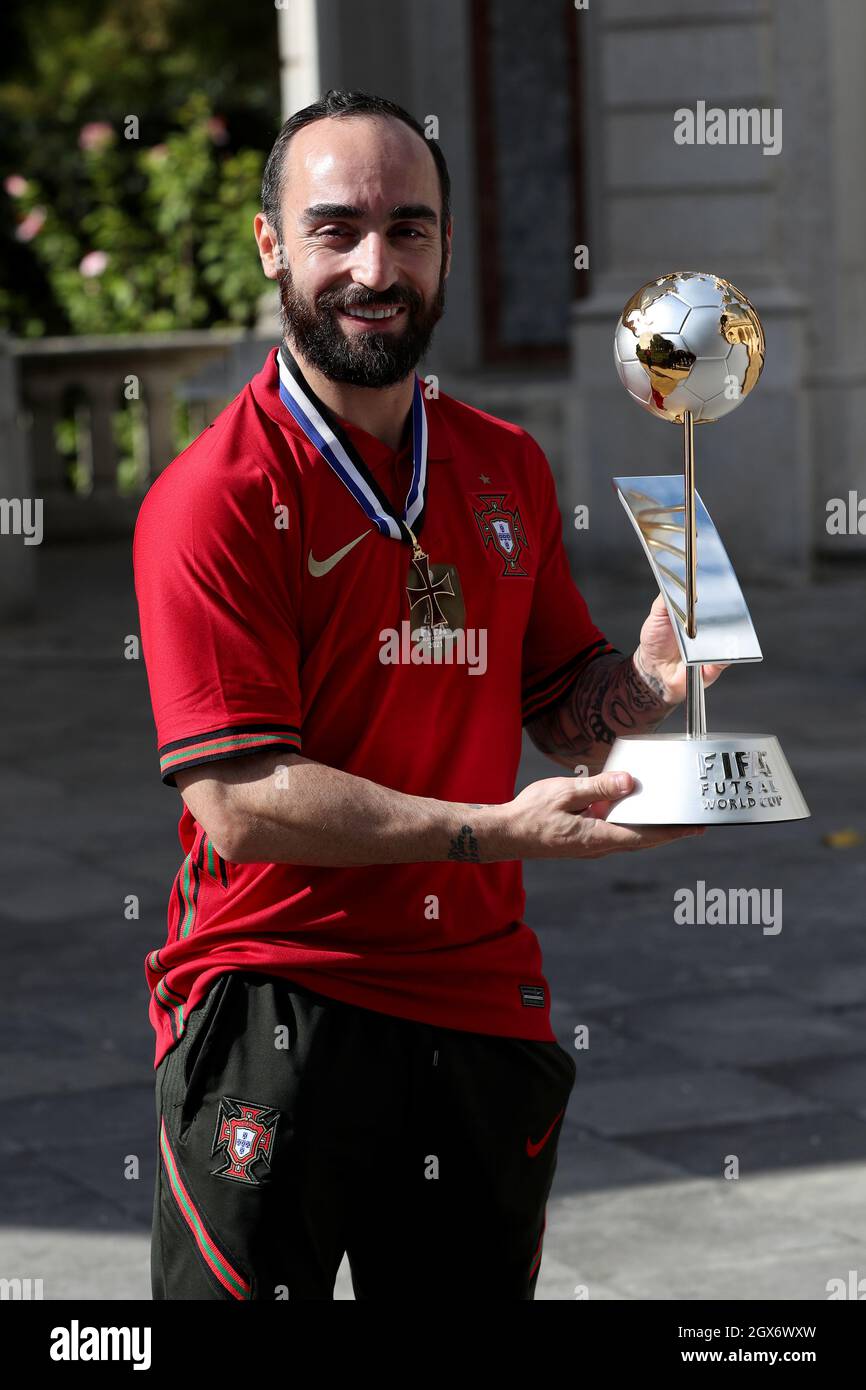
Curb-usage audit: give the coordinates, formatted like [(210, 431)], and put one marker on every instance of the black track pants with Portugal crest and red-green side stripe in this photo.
[(294, 1129)]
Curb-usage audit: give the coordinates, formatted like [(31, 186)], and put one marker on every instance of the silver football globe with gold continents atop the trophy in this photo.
[(689, 341)]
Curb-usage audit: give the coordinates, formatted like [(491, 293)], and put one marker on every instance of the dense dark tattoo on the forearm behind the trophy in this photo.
[(608, 698)]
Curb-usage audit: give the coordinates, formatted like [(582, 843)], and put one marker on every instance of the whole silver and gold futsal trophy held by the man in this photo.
[(690, 348)]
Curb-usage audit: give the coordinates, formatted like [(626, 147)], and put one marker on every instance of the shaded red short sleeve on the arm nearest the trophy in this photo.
[(561, 636)]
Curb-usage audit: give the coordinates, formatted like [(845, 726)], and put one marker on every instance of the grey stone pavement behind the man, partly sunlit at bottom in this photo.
[(705, 1042)]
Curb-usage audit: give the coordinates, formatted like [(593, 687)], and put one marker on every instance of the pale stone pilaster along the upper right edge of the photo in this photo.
[(821, 62)]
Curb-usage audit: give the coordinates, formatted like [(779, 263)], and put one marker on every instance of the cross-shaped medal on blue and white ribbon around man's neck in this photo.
[(433, 591)]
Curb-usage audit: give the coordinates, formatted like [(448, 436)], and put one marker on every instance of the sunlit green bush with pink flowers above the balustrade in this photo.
[(179, 255)]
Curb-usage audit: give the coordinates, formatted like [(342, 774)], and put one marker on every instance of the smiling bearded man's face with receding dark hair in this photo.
[(362, 275)]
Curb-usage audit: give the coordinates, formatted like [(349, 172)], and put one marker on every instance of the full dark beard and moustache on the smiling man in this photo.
[(368, 359)]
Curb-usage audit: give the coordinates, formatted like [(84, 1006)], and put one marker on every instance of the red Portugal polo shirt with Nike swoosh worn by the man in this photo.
[(252, 641)]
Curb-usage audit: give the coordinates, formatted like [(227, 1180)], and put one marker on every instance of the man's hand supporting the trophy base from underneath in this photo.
[(564, 818)]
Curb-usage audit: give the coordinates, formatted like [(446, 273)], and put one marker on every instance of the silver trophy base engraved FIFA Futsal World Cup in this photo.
[(714, 780)]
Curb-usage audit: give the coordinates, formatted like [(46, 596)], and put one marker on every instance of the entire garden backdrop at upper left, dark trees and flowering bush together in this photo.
[(173, 211)]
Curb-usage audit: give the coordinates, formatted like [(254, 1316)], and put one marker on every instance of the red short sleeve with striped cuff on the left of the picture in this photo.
[(218, 618)]
